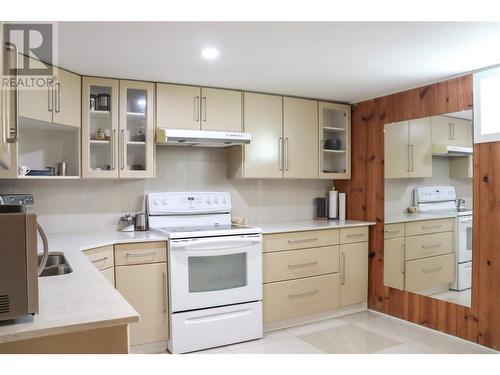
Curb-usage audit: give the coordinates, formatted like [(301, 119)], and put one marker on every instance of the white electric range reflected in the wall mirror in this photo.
[(443, 199)]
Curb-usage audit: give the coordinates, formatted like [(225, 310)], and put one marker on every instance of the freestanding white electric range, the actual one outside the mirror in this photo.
[(215, 270)]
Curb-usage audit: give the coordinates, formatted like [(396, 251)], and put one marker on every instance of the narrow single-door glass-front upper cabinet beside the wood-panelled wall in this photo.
[(335, 141)]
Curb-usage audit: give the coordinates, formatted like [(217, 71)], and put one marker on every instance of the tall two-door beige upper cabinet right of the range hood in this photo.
[(284, 139)]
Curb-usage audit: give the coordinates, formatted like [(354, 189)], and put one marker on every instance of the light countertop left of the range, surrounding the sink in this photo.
[(82, 299)]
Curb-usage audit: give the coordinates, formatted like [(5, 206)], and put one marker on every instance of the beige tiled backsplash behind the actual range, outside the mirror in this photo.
[(96, 205)]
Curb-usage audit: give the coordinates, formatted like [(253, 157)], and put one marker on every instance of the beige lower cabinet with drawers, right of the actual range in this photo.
[(311, 272)]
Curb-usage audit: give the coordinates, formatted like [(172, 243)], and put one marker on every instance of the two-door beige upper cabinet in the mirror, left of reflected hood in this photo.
[(408, 149)]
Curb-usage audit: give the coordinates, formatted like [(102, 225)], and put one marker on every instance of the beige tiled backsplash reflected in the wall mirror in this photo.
[(399, 192)]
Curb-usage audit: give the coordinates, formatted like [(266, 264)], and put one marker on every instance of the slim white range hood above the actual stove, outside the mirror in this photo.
[(200, 138)]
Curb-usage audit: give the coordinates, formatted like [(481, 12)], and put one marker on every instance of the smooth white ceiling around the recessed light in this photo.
[(343, 61)]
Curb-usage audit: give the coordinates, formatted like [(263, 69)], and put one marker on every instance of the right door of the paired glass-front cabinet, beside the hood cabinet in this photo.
[(136, 149)]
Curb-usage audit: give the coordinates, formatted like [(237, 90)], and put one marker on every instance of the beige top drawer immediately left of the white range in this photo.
[(140, 252)]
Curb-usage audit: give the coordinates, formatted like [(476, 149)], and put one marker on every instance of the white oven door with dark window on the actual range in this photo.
[(215, 271)]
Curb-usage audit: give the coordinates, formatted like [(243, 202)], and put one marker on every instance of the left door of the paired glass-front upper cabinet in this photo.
[(100, 127)]
